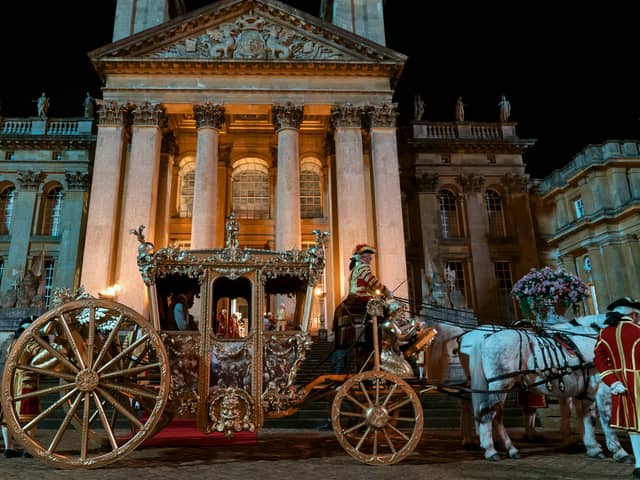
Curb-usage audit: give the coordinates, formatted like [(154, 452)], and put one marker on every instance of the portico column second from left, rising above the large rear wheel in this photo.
[(139, 199)]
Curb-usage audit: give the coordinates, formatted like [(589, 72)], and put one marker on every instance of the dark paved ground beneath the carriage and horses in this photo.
[(309, 454)]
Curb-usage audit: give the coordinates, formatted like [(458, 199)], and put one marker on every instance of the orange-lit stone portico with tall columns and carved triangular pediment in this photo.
[(287, 87)]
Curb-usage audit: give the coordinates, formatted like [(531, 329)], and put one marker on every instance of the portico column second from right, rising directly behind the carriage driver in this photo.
[(350, 185)]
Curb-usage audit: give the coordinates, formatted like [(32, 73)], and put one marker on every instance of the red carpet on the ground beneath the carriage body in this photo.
[(183, 431)]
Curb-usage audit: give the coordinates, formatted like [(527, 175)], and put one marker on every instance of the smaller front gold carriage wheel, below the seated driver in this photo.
[(377, 418)]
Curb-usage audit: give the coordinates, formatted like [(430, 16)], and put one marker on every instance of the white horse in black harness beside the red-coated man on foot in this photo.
[(558, 363)]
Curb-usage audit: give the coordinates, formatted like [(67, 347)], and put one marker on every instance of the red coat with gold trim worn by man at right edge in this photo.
[(617, 357)]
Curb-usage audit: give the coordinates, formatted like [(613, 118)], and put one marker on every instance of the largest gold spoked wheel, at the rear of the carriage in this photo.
[(91, 394)]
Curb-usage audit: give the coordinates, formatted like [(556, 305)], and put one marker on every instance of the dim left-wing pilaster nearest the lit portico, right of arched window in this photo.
[(76, 198)]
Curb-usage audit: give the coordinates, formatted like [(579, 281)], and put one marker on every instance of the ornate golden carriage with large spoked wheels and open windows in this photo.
[(104, 379)]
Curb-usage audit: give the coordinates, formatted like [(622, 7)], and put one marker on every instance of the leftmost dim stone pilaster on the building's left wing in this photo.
[(23, 214)]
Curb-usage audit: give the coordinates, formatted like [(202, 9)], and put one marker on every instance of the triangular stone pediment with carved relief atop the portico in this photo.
[(230, 33)]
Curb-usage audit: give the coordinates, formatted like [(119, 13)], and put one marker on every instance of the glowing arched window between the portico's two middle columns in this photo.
[(250, 190)]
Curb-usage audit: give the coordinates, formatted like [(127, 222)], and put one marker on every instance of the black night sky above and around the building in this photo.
[(569, 75)]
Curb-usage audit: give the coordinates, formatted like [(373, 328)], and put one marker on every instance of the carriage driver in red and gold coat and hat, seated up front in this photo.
[(363, 285)]
